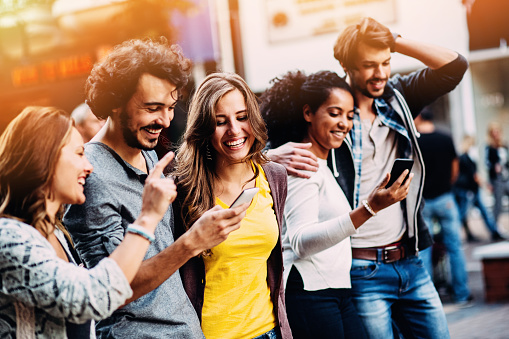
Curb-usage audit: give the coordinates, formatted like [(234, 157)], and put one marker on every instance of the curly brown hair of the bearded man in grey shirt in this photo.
[(113, 81)]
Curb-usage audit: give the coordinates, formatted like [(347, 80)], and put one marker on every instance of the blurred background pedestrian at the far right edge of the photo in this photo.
[(497, 162)]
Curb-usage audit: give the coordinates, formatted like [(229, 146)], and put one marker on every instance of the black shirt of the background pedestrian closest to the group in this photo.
[(438, 154)]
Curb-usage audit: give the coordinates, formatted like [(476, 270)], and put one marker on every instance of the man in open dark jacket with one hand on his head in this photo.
[(389, 281)]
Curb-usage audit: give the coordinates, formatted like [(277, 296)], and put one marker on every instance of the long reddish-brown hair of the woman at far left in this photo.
[(29, 150)]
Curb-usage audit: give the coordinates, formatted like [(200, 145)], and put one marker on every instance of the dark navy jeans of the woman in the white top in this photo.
[(327, 313)]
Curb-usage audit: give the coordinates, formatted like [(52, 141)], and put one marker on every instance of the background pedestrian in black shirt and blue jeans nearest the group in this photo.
[(441, 163)]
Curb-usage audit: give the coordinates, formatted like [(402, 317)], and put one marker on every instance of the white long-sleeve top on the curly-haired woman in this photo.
[(316, 231)]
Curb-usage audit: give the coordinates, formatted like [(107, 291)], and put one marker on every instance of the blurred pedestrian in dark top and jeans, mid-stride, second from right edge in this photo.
[(467, 190)]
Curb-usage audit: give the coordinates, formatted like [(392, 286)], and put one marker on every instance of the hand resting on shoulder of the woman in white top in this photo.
[(295, 157)]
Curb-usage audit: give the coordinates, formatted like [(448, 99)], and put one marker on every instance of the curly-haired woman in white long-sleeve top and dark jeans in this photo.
[(319, 109)]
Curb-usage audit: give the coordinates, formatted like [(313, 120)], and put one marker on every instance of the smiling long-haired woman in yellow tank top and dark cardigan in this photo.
[(236, 286)]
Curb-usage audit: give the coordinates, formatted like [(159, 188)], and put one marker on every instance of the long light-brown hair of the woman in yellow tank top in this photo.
[(195, 172)]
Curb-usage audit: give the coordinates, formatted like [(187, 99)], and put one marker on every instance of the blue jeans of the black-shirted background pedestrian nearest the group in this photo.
[(444, 210)]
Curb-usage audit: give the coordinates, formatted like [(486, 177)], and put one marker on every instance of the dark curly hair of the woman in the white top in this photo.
[(281, 104)]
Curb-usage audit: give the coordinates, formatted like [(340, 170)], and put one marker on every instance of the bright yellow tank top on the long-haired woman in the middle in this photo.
[(237, 300)]
